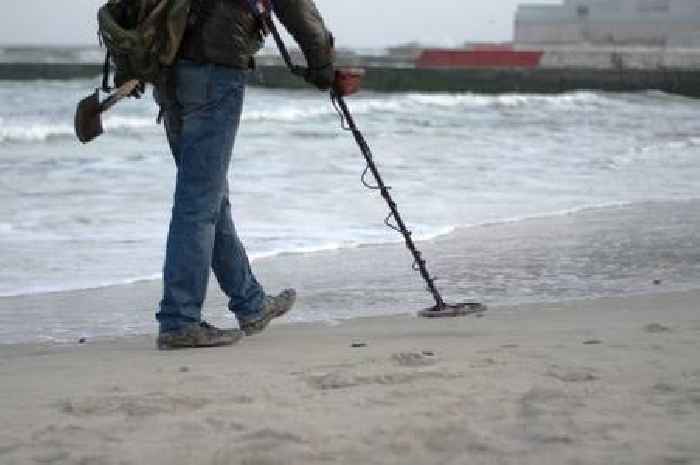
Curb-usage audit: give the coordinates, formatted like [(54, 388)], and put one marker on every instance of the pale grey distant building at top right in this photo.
[(657, 23)]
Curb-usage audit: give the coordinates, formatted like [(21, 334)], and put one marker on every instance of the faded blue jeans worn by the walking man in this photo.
[(201, 121)]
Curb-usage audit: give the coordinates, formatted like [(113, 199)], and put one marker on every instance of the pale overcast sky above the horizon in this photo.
[(363, 23)]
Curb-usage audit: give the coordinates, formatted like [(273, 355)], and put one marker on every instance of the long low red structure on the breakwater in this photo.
[(437, 58)]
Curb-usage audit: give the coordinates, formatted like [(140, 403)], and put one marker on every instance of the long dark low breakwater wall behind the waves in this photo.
[(409, 79)]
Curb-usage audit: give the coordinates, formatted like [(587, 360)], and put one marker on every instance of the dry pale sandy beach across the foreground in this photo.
[(613, 380)]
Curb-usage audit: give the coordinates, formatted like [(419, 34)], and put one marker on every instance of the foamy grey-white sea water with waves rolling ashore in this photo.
[(74, 216)]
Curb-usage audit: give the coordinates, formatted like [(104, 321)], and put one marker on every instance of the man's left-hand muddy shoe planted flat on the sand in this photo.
[(198, 335)]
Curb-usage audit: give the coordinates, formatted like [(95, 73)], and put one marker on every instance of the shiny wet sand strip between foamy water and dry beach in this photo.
[(601, 252)]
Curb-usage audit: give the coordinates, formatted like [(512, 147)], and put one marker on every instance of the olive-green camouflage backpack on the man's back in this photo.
[(142, 38)]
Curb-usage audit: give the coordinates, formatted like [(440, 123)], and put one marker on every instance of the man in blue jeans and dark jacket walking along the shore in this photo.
[(202, 107)]
